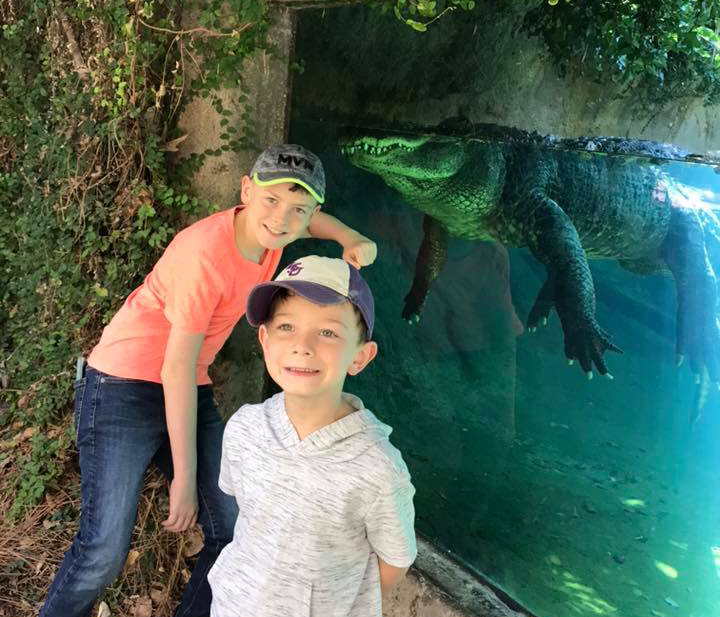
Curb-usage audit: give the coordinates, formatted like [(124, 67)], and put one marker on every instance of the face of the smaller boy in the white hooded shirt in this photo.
[(310, 348)]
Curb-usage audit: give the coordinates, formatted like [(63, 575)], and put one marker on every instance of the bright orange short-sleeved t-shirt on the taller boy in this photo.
[(200, 284)]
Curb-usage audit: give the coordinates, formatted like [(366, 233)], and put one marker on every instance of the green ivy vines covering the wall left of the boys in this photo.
[(90, 93)]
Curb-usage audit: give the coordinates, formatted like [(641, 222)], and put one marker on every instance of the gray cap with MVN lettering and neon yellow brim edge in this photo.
[(290, 163)]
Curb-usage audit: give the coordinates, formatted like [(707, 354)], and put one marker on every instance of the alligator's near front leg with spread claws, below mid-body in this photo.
[(554, 241)]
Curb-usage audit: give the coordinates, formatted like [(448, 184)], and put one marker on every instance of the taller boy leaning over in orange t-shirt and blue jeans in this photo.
[(145, 395)]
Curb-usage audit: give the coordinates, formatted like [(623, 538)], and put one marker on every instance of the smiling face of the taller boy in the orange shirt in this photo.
[(277, 214)]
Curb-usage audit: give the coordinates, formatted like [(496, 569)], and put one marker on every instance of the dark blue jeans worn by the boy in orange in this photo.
[(120, 429)]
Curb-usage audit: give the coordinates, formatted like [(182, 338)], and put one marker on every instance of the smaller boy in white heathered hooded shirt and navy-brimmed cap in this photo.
[(326, 514)]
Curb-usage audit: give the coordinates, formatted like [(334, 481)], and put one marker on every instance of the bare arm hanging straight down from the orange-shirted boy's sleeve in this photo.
[(180, 390)]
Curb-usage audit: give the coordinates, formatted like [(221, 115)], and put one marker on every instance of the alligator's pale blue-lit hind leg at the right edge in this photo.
[(698, 332)]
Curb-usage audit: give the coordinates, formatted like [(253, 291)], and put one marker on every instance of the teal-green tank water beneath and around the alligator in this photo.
[(576, 497)]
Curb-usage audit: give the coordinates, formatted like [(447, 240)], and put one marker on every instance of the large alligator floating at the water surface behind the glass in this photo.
[(565, 206)]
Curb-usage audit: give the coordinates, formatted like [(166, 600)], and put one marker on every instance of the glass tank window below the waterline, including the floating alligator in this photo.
[(576, 496)]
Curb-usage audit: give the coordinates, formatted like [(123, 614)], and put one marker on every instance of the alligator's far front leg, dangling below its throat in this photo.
[(431, 258)]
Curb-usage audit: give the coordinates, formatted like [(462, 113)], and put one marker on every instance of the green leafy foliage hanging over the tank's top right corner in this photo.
[(660, 50)]
